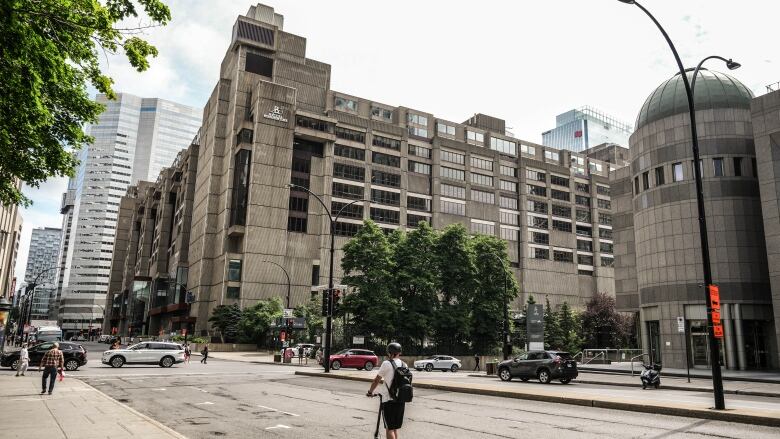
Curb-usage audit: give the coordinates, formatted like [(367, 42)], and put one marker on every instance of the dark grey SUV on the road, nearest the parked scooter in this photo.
[(544, 365)]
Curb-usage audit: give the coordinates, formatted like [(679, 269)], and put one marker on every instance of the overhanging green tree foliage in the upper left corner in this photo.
[(49, 52)]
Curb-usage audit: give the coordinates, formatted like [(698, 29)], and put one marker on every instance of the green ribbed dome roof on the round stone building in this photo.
[(713, 90)]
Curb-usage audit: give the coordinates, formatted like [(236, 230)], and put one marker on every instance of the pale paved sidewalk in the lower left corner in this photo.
[(74, 410)]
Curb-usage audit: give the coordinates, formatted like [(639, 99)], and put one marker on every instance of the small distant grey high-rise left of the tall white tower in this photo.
[(42, 260)]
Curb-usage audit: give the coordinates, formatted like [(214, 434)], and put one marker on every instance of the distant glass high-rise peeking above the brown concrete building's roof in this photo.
[(585, 127)]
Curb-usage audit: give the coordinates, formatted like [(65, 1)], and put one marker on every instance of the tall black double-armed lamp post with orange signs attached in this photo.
[(717, 380)]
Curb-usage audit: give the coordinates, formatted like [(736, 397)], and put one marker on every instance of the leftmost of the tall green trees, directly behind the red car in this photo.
[(368, 266)]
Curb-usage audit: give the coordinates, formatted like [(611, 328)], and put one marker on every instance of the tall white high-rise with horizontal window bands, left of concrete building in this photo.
[(133, 140)]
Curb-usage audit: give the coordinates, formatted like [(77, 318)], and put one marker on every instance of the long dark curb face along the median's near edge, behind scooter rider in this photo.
[(615, 405)]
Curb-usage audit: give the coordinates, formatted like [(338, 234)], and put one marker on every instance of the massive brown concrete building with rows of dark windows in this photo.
[(272, 119)]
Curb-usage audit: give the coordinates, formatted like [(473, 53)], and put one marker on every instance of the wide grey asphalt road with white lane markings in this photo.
[(241, 400)]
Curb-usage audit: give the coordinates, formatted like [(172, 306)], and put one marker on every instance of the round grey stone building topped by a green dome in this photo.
[(658, 264)]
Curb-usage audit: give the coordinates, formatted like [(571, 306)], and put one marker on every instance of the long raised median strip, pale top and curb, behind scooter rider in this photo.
[(745, 416)]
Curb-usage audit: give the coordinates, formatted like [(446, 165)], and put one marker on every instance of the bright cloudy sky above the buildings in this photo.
[(523, 61)]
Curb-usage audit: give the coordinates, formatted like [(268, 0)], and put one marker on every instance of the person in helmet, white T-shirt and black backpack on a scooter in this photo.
[(392, 407)]
